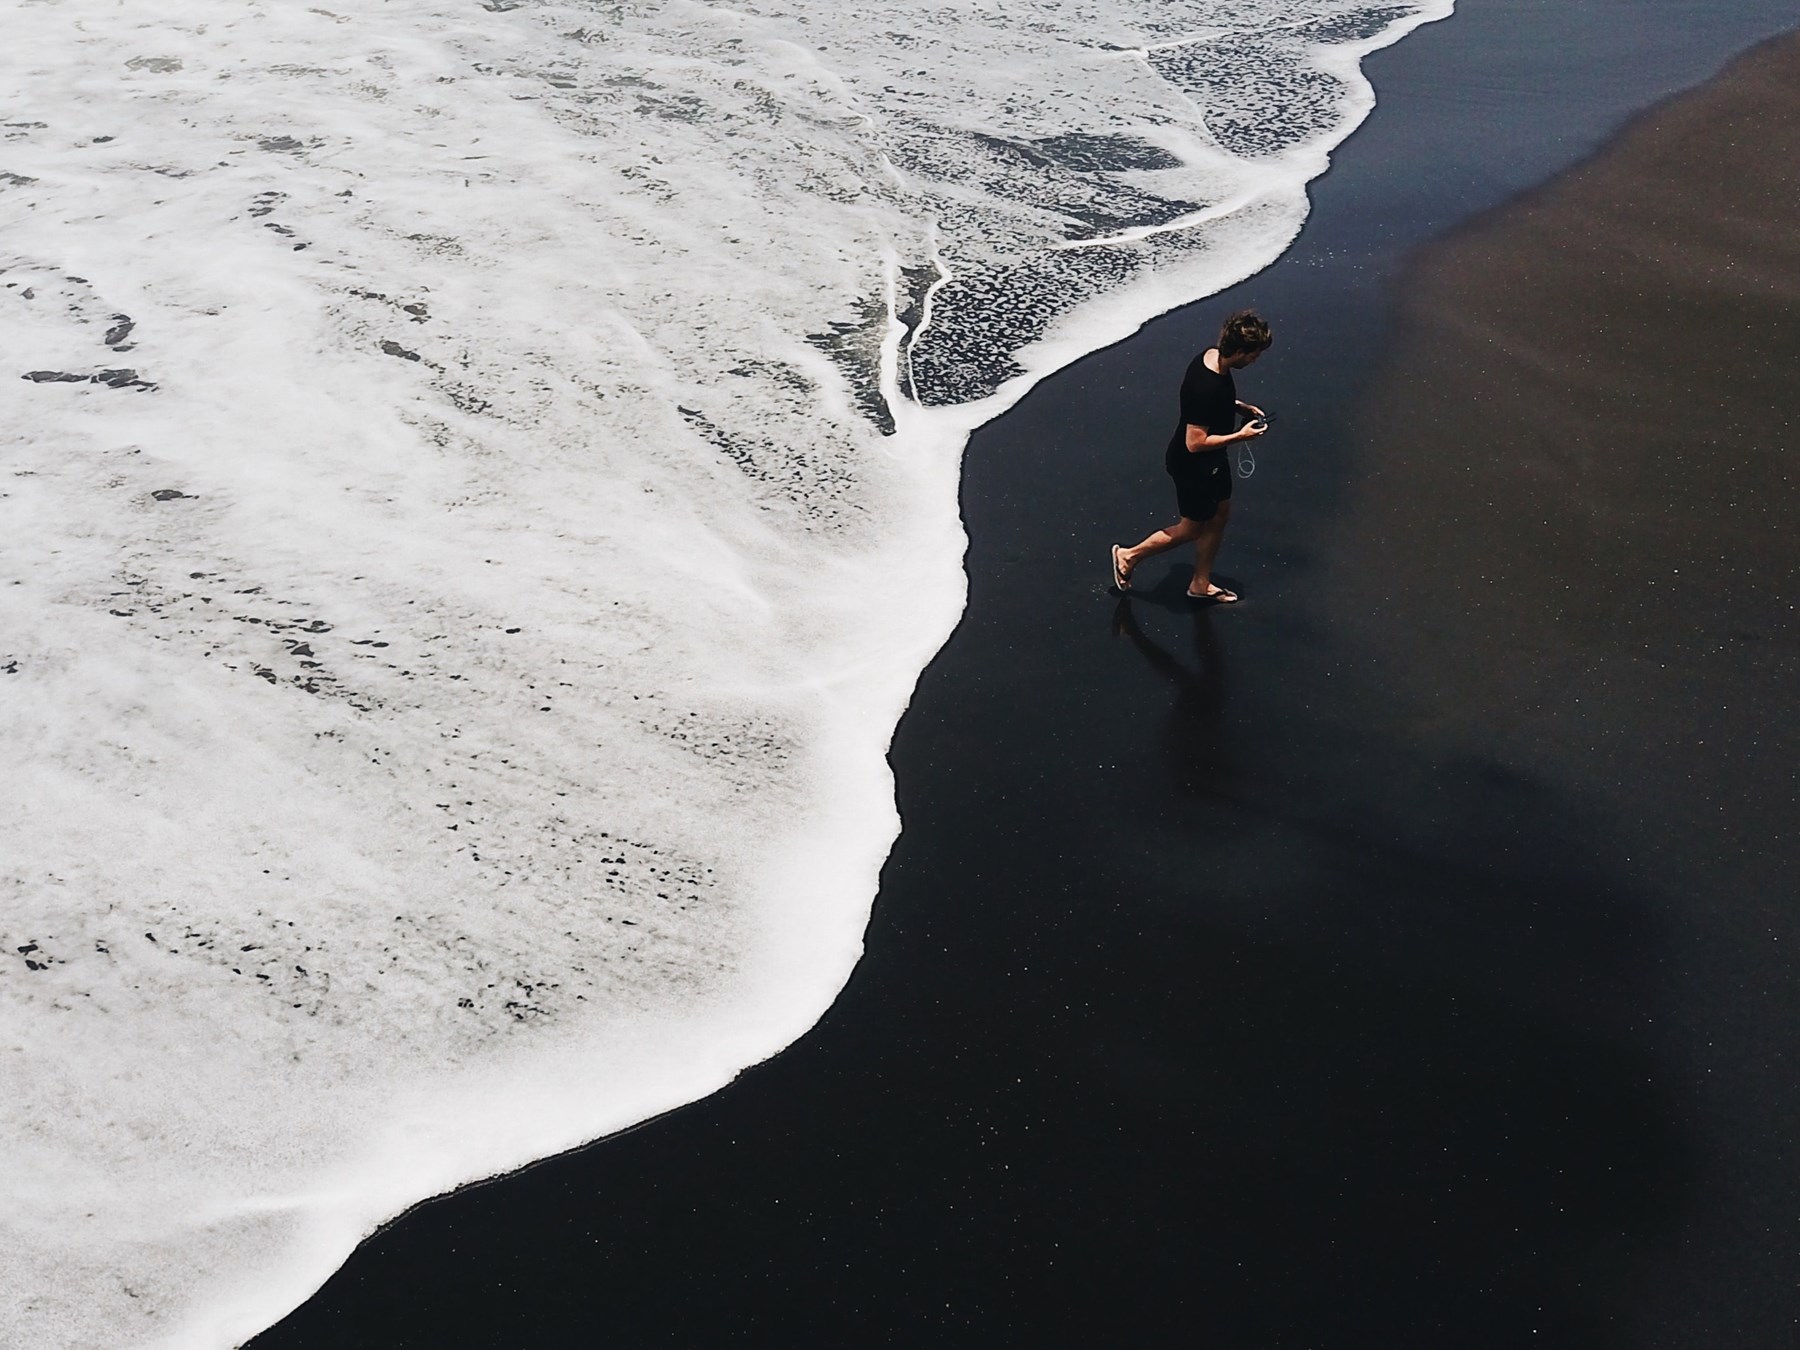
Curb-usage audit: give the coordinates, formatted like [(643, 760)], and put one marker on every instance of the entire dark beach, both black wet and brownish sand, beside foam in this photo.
[(1403, 958)]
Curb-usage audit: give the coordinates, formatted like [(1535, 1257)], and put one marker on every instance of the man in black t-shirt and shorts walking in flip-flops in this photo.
[(1200, 462)]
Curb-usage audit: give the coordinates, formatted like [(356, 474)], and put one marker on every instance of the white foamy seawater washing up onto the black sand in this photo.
[(481, 490)]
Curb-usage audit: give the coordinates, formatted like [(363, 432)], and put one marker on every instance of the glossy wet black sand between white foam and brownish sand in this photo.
[(1209, 1000)]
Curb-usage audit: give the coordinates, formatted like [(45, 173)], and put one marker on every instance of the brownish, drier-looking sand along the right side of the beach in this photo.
[(1578, 528)]
